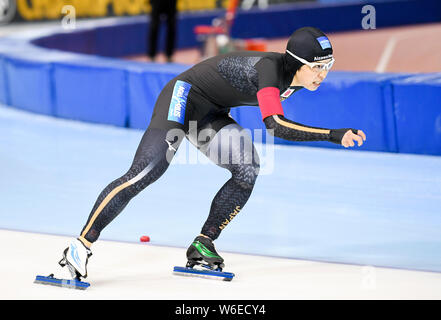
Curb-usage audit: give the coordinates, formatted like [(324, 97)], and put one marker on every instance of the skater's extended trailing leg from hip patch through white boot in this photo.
[(153, 156)]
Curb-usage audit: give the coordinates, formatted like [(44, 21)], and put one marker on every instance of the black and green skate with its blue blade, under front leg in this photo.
[(204, 261)]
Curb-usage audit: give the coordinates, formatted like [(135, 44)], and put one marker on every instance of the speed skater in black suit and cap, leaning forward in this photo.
[(204, 95)]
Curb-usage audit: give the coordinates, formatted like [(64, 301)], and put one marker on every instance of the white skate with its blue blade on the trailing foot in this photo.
[(75, 258)]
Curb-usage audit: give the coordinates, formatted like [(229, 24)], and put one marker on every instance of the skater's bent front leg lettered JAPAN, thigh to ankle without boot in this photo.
[(231, 148)]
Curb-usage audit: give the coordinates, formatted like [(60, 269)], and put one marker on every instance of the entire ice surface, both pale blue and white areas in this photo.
[(321, 223)]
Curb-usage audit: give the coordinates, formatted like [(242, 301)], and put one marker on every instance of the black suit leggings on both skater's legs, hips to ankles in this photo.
[(216, 134)]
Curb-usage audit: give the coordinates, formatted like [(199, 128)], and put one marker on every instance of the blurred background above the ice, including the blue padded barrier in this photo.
[(385, 50)]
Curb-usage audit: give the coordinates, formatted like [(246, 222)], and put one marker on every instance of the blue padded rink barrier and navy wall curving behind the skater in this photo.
[(73, 80)]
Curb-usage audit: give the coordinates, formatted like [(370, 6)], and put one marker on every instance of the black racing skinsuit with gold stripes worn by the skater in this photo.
[(204, 94)]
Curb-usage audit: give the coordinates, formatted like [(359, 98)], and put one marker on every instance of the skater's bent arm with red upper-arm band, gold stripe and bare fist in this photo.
[(277, 124)]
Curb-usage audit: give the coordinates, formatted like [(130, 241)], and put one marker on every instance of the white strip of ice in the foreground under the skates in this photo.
[(142, 271)]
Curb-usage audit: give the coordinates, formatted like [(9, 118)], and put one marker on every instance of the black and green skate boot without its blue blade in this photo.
[(202, 252)]
